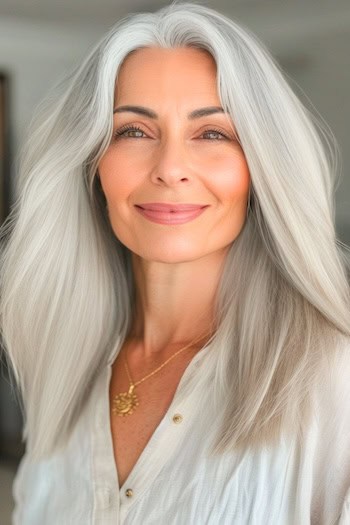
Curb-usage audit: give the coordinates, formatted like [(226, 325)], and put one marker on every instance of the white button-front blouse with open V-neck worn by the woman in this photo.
[(174, 482)]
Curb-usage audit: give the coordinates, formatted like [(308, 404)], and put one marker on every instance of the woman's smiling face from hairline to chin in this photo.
[(164, 156)]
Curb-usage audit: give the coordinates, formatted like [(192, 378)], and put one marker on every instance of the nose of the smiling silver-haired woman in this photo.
[(172, 163)]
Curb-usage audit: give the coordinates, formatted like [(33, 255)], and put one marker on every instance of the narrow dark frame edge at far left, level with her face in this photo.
[(4, 147)]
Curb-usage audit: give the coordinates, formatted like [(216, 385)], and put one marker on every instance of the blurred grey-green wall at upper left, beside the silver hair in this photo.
[(34, 55)]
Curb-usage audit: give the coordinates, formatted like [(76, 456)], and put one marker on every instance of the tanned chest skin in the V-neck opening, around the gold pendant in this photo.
[(131, 433)]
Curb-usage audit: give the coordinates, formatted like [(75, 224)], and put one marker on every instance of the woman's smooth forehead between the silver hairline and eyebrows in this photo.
[(161, 72)]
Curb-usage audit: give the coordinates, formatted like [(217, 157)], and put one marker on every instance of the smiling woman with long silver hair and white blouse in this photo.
[(175, 303)]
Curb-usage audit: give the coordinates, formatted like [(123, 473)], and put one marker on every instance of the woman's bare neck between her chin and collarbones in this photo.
[(175, 303)]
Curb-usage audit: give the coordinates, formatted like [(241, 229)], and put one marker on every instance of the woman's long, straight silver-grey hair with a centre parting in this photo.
[(67, 286)]
